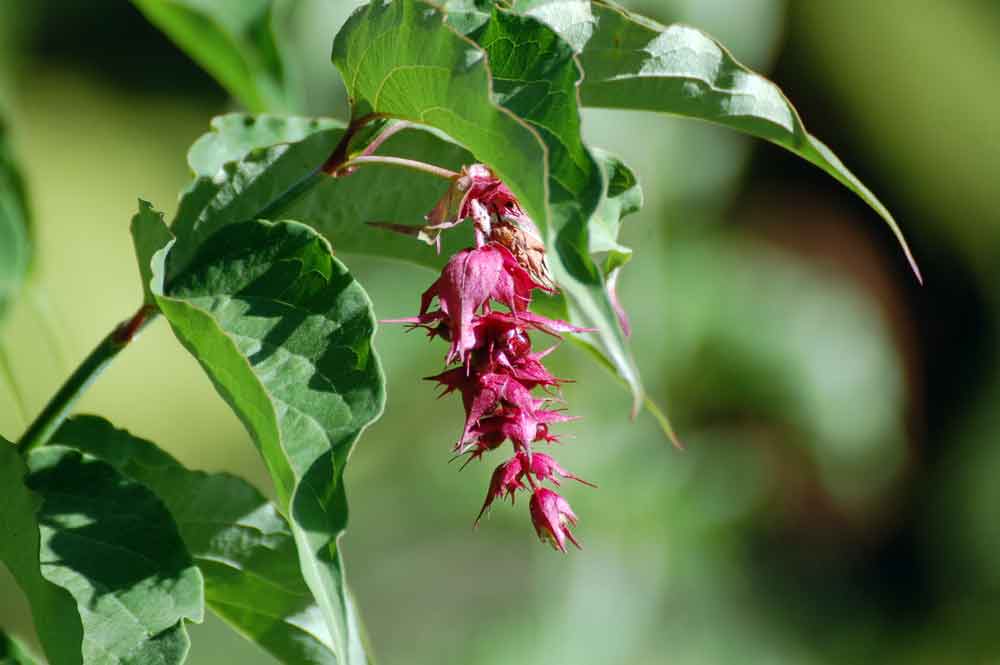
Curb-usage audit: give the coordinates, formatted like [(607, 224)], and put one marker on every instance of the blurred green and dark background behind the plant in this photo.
[(837, 500)]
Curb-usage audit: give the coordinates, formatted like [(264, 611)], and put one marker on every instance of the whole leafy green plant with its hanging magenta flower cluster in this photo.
[(462, 153)]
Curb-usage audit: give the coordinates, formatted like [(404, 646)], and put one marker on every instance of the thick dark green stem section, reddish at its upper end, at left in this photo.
[(55, 412)]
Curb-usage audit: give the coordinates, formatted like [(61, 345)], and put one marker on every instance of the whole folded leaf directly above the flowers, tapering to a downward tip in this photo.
[(400, 59)]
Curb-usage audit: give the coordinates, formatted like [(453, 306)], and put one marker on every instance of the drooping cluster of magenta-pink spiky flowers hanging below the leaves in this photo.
[(507, 392)]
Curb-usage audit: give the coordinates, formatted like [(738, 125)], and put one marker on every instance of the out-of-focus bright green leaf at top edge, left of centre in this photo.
[(234, 41)]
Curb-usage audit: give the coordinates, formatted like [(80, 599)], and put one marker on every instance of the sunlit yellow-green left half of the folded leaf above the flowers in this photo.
[(398, 58)]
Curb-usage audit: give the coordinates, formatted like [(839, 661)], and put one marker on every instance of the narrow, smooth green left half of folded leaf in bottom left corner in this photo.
[(53, 608)]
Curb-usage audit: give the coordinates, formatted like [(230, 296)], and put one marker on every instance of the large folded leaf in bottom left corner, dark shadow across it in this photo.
[(73, 524)]
